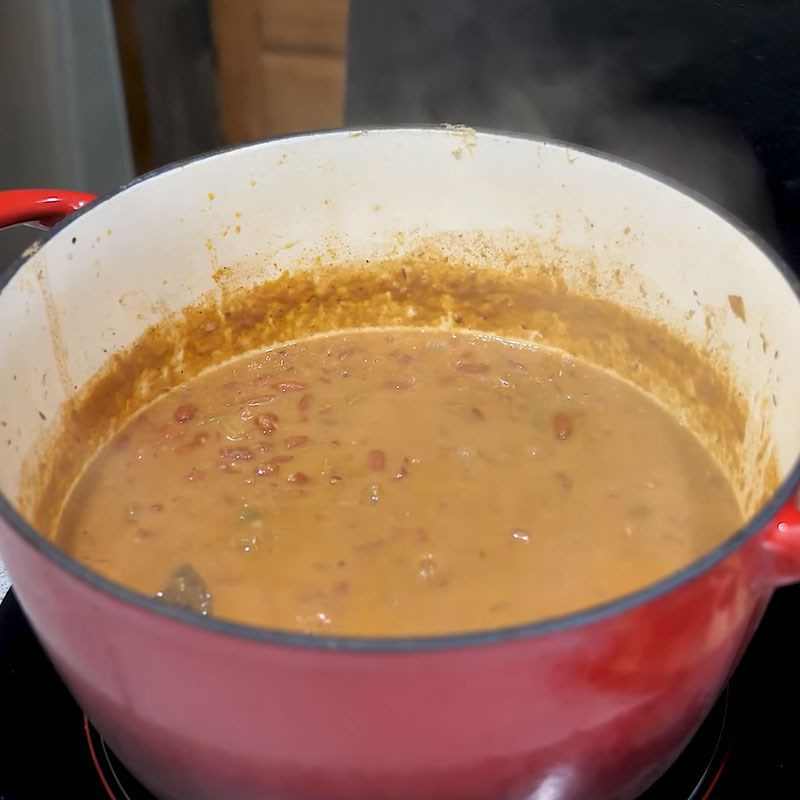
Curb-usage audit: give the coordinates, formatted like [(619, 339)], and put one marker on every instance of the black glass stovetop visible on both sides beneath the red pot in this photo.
[(749, 747)]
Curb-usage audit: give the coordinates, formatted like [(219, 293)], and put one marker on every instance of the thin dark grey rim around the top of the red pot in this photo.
[(756, 524)]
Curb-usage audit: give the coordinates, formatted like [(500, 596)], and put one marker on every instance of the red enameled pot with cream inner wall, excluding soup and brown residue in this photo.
[(593, 705)]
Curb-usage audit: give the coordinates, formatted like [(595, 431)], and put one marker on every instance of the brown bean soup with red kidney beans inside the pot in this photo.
[(396, 482)]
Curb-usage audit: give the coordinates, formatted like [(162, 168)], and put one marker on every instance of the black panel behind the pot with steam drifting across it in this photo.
[(707, 92)]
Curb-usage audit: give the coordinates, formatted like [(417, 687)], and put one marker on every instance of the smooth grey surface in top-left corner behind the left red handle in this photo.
[(62, 109)]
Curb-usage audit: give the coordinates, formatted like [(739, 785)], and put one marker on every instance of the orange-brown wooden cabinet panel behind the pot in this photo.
[(281, 65)]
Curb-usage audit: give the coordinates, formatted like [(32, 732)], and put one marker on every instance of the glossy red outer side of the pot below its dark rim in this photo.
[(597, 710)]
